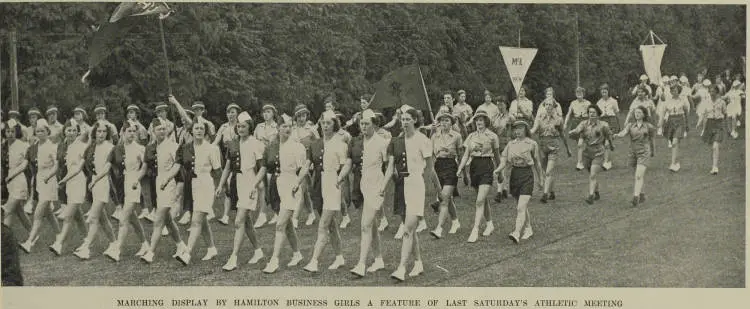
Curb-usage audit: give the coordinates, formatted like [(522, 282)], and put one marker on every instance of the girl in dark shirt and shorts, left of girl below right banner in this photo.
[(596, 136)]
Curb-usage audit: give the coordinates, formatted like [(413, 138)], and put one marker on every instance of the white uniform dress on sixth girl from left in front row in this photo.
[(166, 158)]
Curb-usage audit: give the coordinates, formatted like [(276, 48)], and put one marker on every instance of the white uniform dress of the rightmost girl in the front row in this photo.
[(418, 149)]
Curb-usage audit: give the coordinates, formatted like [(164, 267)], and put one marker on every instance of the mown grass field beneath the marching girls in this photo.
[(689, 233)]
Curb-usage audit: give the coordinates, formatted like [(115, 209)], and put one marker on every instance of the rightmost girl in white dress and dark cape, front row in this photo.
[(413, 152)]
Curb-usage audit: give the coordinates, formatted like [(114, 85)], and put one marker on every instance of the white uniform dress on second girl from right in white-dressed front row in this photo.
[(374, 154)]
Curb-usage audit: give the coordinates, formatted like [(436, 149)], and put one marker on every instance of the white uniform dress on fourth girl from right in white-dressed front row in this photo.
[(292, 157)]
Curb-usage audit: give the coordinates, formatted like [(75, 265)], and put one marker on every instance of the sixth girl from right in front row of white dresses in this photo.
[(199, 159)]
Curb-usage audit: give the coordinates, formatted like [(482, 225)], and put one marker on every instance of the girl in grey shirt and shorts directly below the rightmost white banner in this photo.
[(641, 133)]
